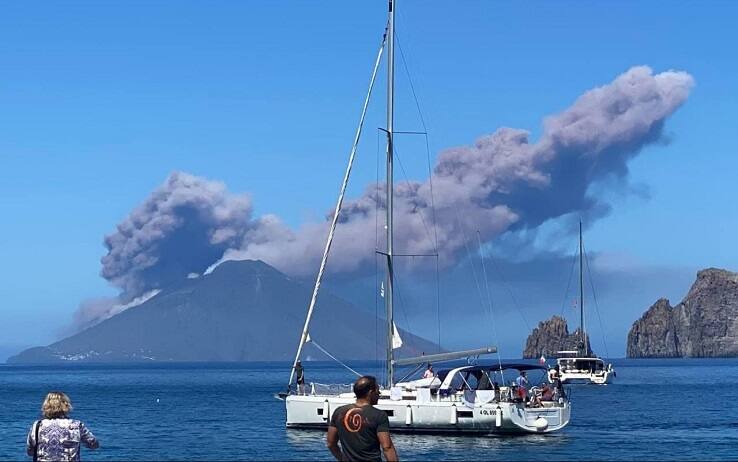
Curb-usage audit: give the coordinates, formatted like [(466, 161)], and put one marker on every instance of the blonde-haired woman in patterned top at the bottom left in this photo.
[(56, 437)]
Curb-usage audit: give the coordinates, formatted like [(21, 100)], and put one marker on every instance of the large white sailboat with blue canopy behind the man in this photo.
[(470, 399)]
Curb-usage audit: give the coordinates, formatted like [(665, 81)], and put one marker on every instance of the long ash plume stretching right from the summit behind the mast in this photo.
[(502, 182)]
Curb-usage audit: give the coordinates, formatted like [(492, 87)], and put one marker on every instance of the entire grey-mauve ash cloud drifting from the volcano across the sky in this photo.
[(503, 182)]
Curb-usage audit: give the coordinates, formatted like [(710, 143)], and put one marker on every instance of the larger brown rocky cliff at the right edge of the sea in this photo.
[(704, 324)]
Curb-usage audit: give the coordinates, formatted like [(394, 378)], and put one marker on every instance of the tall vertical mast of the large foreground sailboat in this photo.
[(388, 299)]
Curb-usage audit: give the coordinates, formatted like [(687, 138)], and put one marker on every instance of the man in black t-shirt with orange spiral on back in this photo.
[(360, 427)]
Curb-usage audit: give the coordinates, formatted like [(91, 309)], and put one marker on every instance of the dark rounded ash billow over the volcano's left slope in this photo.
[(183, 226)]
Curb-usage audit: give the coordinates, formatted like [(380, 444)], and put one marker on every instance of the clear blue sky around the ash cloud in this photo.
[(100, 101)]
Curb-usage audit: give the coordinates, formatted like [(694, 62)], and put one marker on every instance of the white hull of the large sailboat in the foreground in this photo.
[(450, 415)]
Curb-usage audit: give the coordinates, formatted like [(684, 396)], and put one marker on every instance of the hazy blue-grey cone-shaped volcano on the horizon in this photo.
[(242, 311)]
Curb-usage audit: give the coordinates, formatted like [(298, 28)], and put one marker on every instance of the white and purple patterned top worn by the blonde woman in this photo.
[(59, 439)]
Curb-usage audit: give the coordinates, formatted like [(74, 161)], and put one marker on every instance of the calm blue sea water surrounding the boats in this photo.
[(657, 409)]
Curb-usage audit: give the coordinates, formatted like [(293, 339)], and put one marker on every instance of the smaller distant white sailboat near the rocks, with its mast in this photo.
[(581, 365)]
